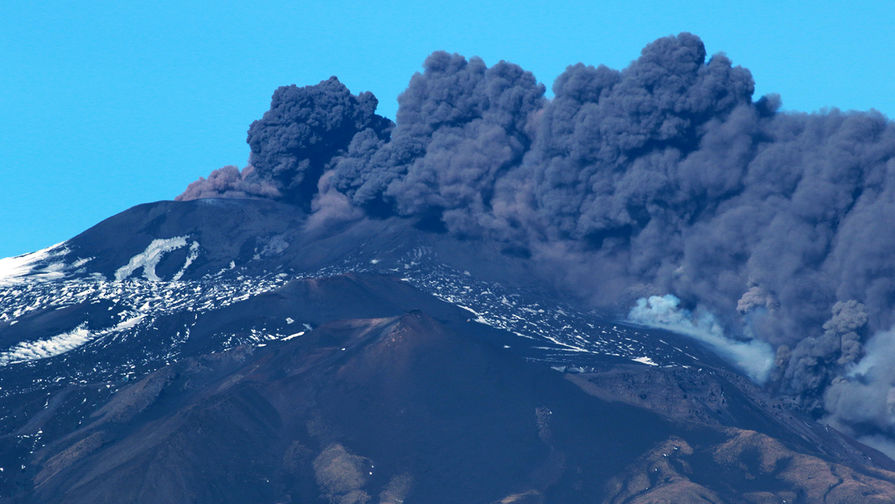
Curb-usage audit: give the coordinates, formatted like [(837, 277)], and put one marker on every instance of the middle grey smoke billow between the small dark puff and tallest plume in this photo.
[(461, 128)]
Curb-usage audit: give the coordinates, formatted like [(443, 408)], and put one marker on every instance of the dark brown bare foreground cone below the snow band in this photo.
[(353, 408)]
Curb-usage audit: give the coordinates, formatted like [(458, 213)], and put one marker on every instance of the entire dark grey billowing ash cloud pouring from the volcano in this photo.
[(662, 178)]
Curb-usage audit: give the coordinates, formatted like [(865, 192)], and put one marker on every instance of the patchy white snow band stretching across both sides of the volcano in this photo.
[(558, 334)]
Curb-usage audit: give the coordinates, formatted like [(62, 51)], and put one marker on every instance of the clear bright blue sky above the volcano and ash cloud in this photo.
[(104, 105)]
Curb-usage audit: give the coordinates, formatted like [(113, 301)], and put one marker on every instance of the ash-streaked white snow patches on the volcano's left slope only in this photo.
[(140, 302)]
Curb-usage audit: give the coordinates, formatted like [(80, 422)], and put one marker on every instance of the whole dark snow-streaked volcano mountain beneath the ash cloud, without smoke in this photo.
[(228, 350)]
